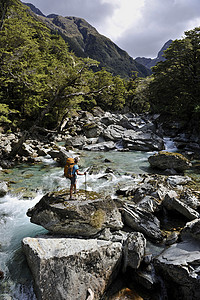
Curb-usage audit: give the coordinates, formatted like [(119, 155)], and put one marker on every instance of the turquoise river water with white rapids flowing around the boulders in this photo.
[(27, 184)]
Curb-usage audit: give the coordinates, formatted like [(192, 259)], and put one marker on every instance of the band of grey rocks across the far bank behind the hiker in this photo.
[(100, 131)]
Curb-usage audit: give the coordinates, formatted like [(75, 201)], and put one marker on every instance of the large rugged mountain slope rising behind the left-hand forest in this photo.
[(85, 41)]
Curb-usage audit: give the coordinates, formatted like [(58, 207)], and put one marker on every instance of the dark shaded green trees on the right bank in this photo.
[(175, 88)]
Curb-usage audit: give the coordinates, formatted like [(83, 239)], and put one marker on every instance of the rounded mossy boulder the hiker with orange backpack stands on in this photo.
[(86, 215)]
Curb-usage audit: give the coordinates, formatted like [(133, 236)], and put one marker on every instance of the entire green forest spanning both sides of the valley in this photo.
[(42, 82)]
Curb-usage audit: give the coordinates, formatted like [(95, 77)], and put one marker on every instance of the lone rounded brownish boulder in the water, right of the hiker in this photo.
[(167, 160)]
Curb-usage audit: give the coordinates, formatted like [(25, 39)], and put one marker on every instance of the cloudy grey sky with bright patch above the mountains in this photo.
[(140, 27)]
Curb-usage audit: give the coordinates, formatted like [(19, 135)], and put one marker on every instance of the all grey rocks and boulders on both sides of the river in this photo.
[(145, 237)]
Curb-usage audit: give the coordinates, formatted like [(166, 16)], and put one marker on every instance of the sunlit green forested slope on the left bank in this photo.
[(41, 80)]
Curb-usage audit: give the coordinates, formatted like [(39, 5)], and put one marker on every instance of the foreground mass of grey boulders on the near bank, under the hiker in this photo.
[(95, 240)]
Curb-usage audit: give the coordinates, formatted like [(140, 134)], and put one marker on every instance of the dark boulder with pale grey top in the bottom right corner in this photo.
[(180, 267)]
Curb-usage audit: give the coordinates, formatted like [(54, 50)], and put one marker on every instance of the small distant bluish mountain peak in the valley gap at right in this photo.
[(151, 62)]
